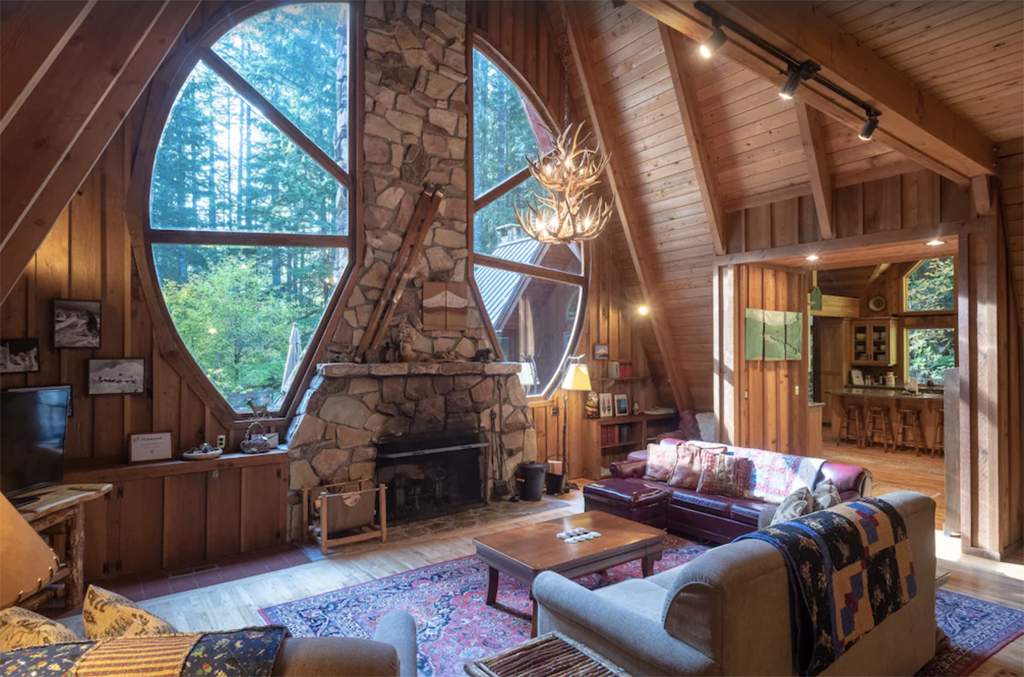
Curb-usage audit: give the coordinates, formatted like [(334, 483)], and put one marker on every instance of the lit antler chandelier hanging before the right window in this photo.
[(569, 174)]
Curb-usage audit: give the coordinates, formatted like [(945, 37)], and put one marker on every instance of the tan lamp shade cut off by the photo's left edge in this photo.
[(27, 564)]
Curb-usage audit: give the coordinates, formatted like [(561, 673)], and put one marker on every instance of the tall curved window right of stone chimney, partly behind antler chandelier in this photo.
[(532, 292)]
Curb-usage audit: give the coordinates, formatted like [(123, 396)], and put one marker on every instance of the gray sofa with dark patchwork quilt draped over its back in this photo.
[(727, 614)]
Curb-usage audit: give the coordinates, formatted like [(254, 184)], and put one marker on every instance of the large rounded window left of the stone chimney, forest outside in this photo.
[(250, 214)]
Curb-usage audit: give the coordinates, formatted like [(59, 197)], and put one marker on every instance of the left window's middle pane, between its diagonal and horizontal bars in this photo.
[(222, 166)]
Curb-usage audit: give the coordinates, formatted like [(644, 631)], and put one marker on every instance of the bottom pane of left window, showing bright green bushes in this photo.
[(247, 314)]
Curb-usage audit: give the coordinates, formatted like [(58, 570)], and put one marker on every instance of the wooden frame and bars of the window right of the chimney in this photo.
[(477, 43)]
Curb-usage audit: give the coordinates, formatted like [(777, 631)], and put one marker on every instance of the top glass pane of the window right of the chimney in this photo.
[(502, 136)]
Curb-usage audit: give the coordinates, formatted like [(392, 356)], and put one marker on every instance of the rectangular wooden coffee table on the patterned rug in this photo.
[(526, 552)]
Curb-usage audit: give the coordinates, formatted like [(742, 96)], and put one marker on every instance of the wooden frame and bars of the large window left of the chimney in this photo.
[(168, 81)]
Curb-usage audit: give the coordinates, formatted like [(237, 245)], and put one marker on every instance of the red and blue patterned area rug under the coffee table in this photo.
[(456, 626)]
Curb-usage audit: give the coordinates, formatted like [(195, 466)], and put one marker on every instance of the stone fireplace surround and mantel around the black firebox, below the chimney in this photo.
[(351, 408)]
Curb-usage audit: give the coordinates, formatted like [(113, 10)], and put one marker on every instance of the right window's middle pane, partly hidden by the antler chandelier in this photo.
[(497, 233)]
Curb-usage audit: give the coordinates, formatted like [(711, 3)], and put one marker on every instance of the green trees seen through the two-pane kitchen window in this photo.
[(931, 352)]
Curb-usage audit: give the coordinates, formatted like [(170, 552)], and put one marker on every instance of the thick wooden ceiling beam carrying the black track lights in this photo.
[(913, 122)]
